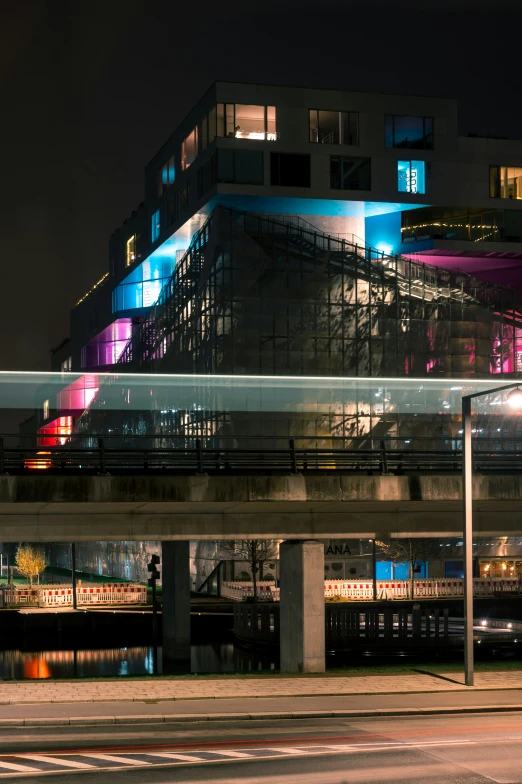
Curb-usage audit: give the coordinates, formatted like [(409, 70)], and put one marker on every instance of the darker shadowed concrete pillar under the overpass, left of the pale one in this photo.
[(175, 577)]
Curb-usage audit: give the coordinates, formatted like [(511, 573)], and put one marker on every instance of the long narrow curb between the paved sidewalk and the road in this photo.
[(270, 715)]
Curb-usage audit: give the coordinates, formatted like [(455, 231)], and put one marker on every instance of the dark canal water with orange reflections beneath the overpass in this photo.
[(127, 661)]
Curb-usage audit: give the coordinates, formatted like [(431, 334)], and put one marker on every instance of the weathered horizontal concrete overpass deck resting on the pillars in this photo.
[(62, 508)]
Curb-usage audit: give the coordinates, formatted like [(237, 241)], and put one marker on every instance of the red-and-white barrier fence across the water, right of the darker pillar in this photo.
[(386, 589)]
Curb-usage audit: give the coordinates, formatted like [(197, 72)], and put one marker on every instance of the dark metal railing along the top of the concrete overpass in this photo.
[(158, 453)]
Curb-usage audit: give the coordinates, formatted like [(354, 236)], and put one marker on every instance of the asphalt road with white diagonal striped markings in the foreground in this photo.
[(454, 749)]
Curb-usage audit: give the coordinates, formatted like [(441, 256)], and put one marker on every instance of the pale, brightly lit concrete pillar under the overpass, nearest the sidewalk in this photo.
[(302, 632)]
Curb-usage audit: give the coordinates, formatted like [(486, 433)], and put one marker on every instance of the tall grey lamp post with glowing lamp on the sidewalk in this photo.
[(515, 401)]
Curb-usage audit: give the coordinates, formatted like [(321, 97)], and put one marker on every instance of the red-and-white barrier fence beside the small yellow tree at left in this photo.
[(61, 595)]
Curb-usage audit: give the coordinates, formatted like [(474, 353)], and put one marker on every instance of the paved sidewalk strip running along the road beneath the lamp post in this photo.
[(37, 703)]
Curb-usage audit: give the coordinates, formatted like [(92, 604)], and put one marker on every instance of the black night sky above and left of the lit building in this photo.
[(89, 91)]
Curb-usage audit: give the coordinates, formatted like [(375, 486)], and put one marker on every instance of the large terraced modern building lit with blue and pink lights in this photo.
[(294, 231)]
